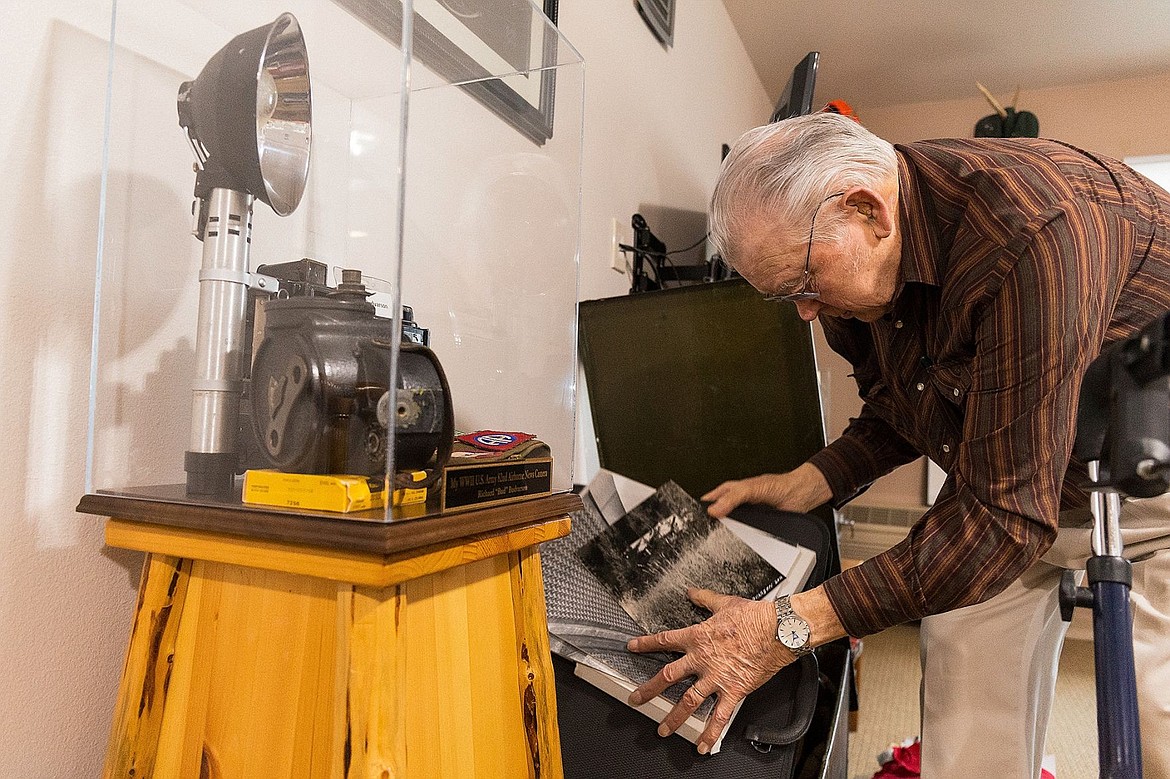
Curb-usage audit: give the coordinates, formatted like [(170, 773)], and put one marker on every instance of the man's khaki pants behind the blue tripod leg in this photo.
[(989, 671)]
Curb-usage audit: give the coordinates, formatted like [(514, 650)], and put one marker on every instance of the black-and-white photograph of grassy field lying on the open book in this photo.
[(666, 544)]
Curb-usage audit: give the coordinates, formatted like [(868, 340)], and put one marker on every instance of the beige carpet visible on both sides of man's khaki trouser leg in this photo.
[(890, 705)]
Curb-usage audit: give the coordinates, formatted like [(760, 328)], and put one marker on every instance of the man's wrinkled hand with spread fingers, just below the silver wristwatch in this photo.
[(731, 654)]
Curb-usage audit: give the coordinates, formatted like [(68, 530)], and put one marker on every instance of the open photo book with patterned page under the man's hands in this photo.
[(623, 574)]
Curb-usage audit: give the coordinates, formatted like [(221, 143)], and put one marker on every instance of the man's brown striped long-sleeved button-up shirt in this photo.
[(1022, 260)]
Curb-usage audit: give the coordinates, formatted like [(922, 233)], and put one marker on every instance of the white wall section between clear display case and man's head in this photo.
[(656, 121)]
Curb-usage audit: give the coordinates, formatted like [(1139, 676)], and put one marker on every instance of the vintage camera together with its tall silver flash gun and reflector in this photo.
[(313, 397)]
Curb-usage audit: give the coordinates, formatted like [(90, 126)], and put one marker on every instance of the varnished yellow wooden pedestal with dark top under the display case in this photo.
[(270, 644)]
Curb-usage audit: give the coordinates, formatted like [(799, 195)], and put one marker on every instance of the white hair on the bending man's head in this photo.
[(786, 169)]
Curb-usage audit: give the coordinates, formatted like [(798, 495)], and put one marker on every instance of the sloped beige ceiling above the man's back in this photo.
[(877, 54)]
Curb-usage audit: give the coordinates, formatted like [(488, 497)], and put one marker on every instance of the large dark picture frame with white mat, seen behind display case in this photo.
[(471, 42)]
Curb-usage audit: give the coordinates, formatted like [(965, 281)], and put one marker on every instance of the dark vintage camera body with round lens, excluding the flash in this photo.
[(319, 402)]
